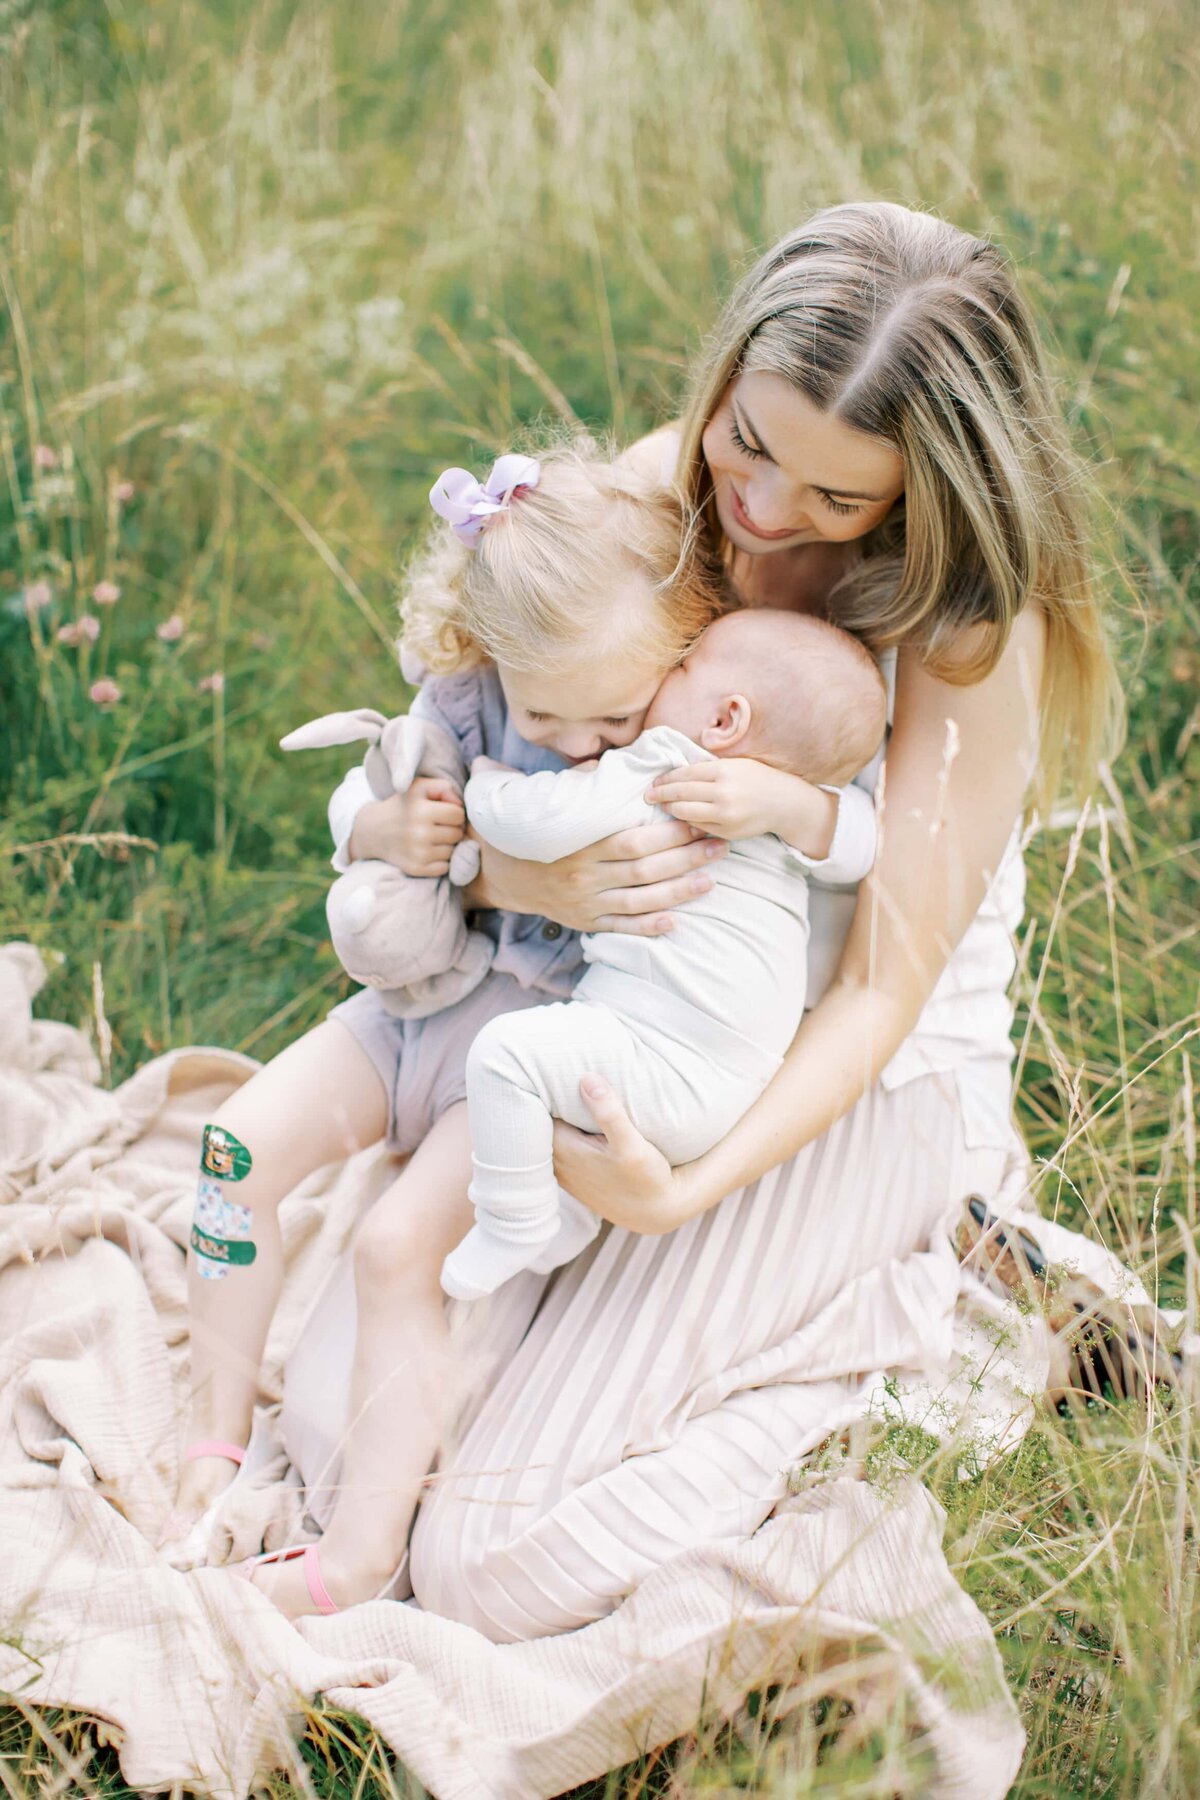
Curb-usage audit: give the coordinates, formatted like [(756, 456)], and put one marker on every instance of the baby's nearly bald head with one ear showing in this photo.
[(782, 687)]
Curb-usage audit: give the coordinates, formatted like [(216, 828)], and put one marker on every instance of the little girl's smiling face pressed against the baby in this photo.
[(580, 715)]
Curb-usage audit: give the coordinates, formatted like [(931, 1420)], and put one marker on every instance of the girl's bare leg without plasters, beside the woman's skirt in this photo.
[(404, 1374)]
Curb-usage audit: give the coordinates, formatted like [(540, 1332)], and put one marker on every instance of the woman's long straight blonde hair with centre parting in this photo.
[(917, 334)]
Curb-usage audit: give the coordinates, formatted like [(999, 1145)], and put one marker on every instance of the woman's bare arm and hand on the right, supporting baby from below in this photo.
[(958, 768)]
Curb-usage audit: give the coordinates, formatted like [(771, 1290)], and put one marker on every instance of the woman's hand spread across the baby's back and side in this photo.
[(627, 883)]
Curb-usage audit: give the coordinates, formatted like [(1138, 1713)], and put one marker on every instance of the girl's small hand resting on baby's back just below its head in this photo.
[(735, 796)]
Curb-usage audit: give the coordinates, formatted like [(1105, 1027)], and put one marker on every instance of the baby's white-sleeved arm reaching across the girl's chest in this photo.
[(550, 816)]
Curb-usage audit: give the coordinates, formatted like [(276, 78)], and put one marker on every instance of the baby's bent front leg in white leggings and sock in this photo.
[(523, 1074)]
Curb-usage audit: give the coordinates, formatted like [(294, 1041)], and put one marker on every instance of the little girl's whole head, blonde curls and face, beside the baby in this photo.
[(586, 589)]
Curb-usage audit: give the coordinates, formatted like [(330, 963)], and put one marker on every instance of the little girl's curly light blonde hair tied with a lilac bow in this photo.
[(557, 579)]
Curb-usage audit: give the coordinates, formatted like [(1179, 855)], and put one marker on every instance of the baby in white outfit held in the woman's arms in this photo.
[(688, 1027)]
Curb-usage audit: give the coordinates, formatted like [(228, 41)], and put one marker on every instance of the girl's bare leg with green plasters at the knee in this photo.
[(314, 1104)]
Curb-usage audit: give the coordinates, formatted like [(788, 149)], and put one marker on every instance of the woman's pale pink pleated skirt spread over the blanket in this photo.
[(794, 1290)]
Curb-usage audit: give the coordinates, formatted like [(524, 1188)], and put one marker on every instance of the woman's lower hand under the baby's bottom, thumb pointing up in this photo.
[(620, 1174)]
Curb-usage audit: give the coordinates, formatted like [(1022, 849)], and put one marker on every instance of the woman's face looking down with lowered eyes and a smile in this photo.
[(785, 472)]
